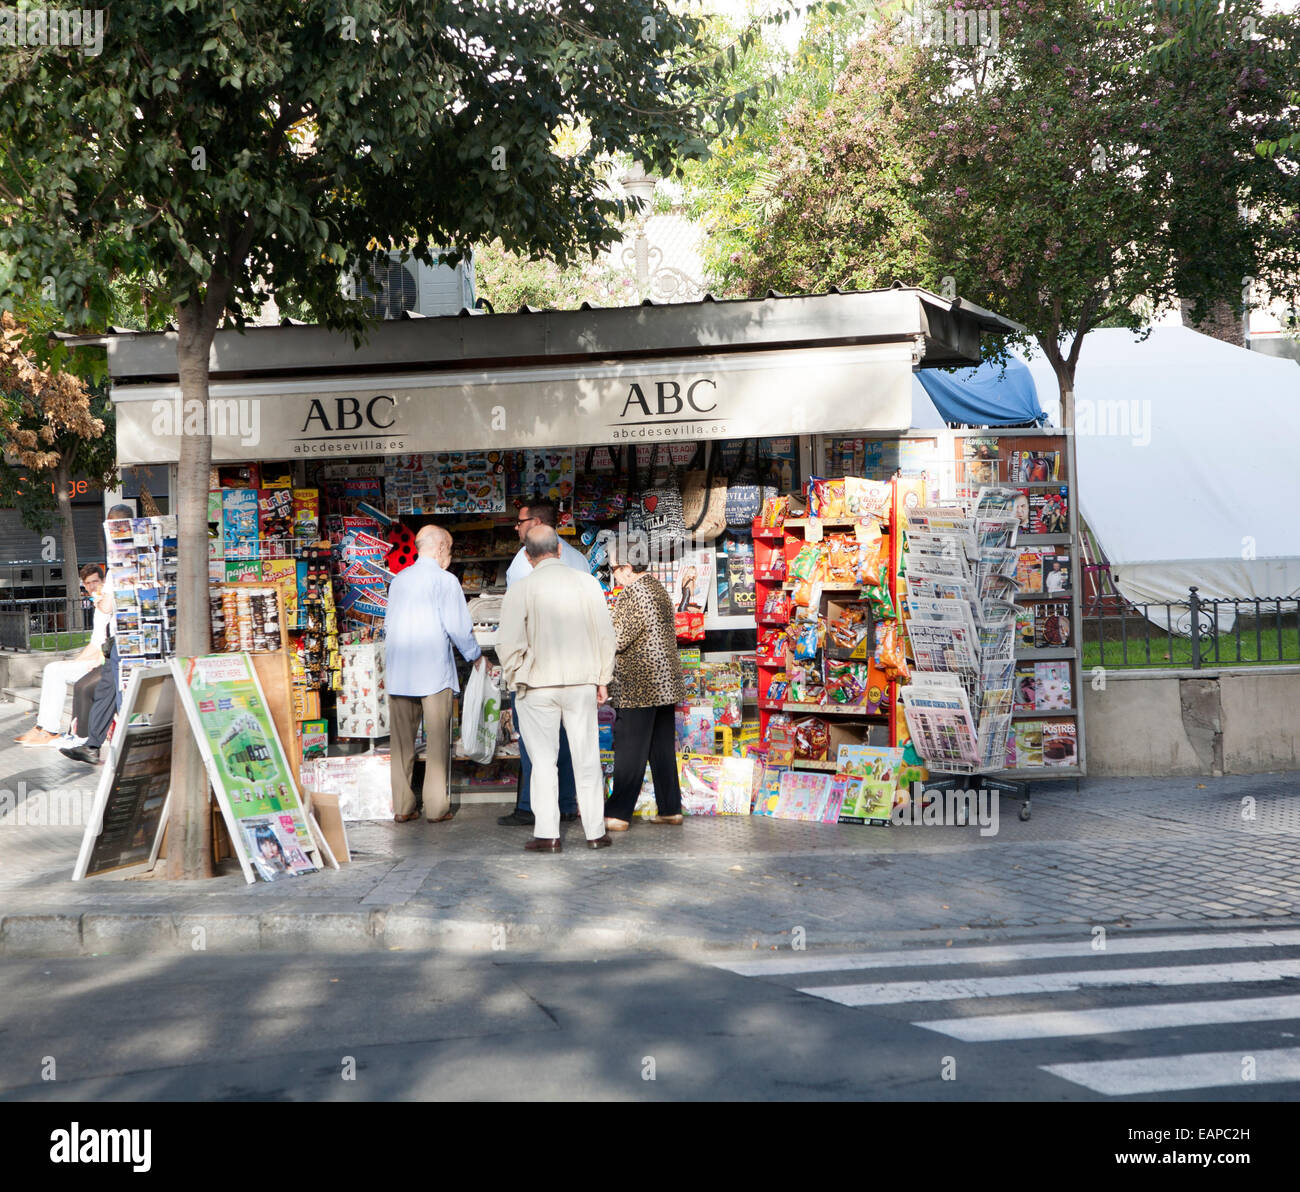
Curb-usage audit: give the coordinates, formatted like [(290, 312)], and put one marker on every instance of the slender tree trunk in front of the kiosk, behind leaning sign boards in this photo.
[(190, 825)]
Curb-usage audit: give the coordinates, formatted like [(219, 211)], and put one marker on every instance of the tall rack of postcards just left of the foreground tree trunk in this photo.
[(144, 565)]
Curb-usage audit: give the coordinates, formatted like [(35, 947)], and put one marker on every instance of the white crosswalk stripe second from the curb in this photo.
[(1033, 983)]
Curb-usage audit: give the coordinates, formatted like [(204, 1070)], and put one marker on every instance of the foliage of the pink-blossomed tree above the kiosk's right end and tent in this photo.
[(1034, 177)]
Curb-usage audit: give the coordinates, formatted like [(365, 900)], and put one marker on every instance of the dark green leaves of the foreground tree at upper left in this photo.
[(274, 140)]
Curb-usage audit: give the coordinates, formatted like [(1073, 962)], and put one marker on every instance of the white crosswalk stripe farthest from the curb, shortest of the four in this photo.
[(1121, 1078)]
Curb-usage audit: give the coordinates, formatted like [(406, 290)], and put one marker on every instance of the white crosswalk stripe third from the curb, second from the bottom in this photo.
[(1113, 1021)]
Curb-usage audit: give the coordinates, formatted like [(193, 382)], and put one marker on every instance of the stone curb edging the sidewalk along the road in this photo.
[(98, 934)]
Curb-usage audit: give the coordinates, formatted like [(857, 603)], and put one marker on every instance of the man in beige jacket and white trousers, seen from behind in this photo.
[(557, 647)]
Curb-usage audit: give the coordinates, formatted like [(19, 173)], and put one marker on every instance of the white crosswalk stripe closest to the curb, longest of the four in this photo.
[(788, 964)]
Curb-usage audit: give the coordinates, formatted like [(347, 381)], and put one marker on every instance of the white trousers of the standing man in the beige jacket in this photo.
[(541, 712)]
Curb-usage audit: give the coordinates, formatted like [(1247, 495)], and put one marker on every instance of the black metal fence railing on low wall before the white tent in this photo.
[(1195, 634)]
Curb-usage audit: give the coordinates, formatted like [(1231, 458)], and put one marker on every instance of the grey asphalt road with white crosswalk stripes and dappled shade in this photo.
[(1165, 1017)]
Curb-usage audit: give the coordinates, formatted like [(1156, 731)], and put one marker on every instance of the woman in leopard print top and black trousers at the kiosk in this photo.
[(645, 693)]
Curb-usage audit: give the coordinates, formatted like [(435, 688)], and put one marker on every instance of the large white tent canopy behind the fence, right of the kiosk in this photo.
[(1189, 469)]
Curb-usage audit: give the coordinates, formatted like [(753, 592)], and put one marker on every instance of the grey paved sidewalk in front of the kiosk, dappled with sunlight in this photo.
[(1112, 852)]
